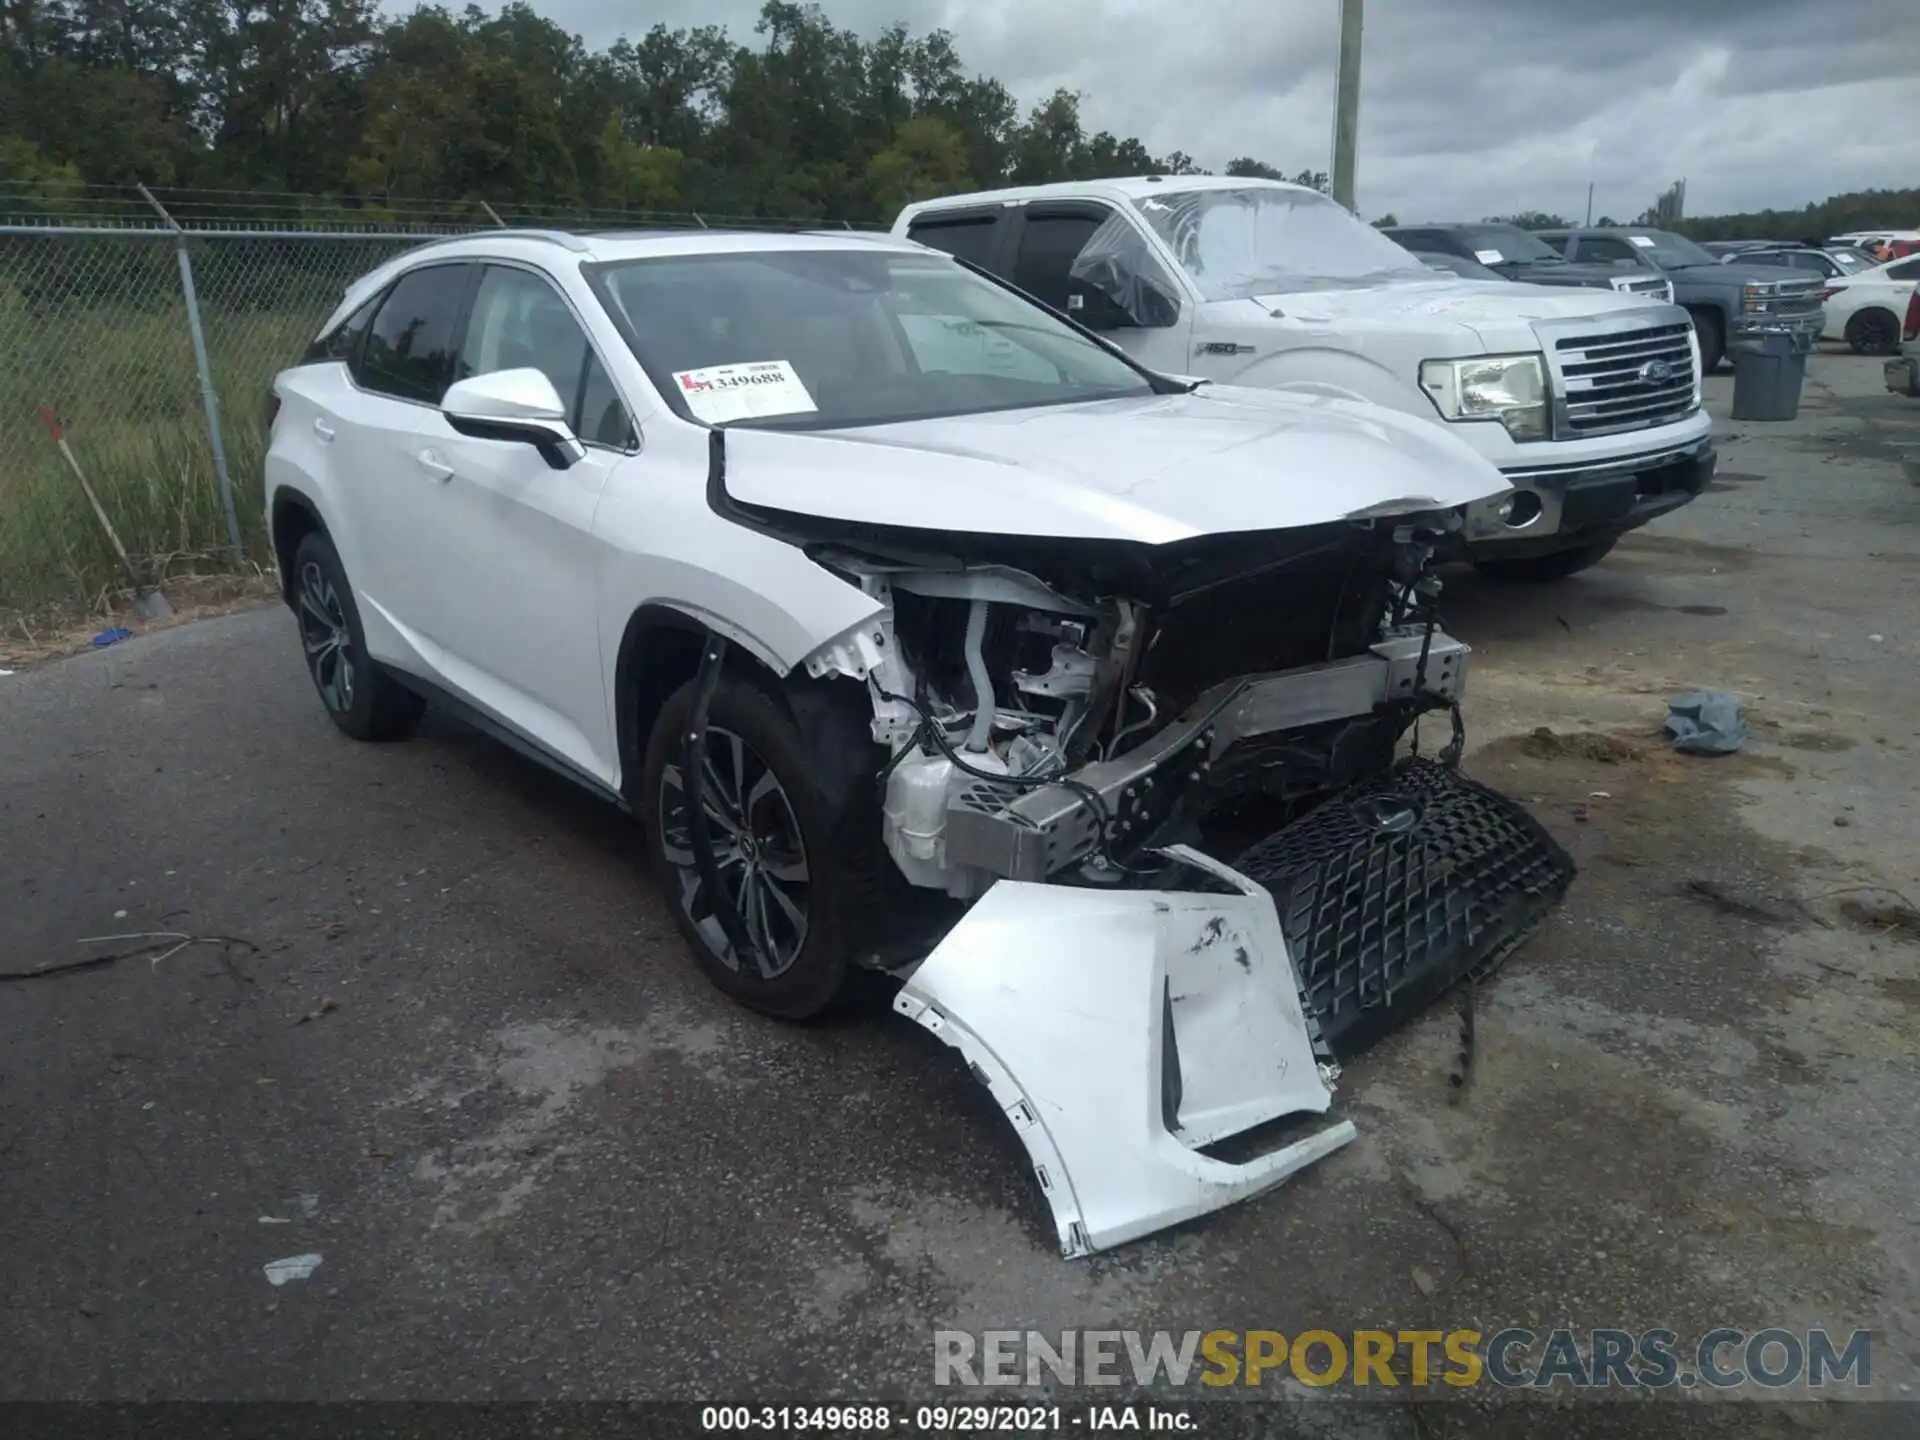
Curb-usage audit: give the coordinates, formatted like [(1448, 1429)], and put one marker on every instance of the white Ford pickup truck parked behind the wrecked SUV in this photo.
[(1587, 402)]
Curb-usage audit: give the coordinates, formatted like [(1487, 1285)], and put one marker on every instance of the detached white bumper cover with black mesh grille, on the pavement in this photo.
[(1126, 1034)]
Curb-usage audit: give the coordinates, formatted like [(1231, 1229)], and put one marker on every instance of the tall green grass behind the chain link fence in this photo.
[(97, 329)]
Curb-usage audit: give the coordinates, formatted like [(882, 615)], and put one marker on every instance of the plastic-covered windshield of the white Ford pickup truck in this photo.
[(1274, 241)]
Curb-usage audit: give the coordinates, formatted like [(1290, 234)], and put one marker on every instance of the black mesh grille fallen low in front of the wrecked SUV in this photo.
[(1399, 888)]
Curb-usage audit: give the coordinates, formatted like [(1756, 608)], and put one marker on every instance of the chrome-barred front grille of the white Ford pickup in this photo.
[(1623, 379)]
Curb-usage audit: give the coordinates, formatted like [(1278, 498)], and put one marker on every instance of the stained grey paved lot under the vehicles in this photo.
[(458, 1053)]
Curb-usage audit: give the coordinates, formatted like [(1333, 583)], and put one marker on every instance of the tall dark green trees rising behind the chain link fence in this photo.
[(331, 97)]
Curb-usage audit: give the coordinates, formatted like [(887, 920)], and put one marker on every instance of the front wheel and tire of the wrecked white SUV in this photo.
[(796, 855)]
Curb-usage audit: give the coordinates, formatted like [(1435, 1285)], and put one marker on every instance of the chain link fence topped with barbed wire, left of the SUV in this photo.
[(135, 364)]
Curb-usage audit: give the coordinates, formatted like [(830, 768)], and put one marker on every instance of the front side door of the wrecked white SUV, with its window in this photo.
[(517, 565)]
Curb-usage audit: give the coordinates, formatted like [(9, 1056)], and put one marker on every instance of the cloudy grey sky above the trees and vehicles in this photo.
[(1470, 107)]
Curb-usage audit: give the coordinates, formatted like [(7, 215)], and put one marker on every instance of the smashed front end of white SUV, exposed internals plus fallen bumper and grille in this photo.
[(1074, 731)]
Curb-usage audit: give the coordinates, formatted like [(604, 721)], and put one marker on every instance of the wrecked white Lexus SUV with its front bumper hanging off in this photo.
[(928, 633)]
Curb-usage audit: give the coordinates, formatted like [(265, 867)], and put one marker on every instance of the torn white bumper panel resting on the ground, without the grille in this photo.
[(1080, 1009)]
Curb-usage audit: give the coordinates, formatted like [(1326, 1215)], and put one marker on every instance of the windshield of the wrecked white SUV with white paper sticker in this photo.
[(830, 339)]
